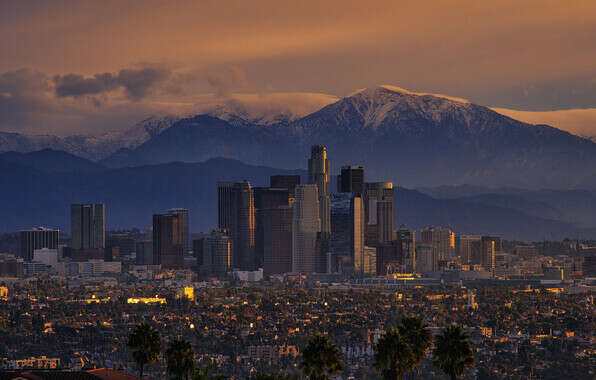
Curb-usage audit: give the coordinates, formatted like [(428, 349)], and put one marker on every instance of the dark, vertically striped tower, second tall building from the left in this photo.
[(88, 226)]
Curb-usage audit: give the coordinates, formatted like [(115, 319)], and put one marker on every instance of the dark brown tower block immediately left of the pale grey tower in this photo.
[(277, 240)]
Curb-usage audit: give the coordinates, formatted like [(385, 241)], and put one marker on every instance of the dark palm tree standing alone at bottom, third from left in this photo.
[(321, 359)]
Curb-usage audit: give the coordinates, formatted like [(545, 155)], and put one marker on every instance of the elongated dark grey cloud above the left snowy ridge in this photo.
[(137, 82)]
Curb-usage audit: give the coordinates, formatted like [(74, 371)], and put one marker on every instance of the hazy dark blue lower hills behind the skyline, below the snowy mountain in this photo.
[(37, 189)]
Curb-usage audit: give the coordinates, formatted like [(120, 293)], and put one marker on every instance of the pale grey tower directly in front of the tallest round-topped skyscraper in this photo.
[(306, 228)]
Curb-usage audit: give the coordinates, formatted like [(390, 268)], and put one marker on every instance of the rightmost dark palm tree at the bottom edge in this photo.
[(453, 352)]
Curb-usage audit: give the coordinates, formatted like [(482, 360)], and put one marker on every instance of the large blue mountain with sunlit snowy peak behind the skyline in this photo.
[(411, 138)]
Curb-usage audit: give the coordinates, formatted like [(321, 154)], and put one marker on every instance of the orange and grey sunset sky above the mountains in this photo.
[(86, 67)]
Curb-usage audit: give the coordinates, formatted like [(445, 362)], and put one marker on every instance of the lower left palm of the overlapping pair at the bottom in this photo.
[(393, 355)]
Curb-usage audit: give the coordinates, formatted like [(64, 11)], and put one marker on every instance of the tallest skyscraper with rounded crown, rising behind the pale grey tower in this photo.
[(318, 174)]
